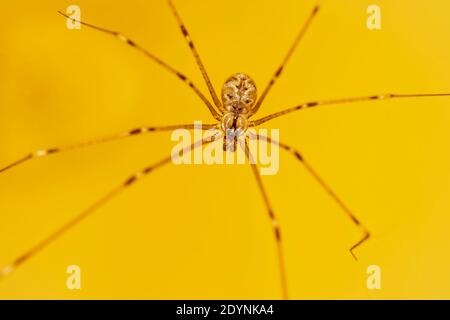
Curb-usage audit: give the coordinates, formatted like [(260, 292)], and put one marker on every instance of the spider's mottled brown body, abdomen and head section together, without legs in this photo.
[(238, 98)]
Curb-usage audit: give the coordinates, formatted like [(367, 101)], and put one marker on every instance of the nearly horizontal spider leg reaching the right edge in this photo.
[(342, 101)]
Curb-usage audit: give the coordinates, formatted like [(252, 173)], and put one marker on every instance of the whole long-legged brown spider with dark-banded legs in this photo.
[(233, 113)]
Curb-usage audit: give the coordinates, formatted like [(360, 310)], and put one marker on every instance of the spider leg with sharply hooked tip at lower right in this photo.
[(326, 187)]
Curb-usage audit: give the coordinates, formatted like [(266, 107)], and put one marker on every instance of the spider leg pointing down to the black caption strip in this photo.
[(273, 220)]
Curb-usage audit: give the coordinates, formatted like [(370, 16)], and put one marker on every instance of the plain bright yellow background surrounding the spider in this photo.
[(202, 231)]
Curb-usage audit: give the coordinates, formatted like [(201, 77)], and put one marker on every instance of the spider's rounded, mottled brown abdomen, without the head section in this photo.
[(239, 94)]
